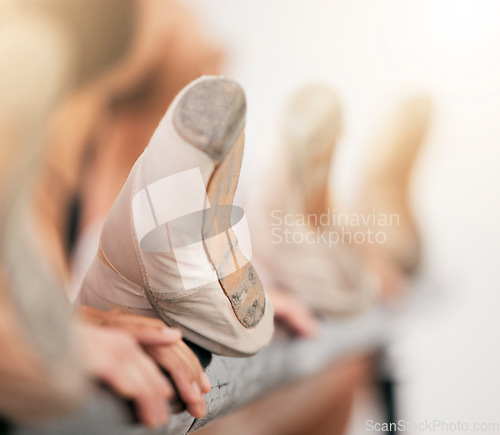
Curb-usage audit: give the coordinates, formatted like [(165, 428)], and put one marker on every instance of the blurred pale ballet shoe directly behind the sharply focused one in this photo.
[(290, 211)]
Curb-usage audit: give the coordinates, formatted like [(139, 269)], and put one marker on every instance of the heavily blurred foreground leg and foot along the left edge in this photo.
[(40, 373)]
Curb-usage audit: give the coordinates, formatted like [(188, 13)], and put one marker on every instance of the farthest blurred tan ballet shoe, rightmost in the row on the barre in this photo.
[(384, 190)]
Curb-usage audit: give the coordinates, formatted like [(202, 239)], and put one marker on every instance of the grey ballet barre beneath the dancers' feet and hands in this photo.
[(237, 382)]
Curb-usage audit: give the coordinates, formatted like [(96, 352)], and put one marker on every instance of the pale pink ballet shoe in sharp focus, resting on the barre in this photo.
[(173, 245)]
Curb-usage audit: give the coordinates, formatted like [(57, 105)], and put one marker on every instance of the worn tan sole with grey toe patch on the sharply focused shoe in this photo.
[(211, 117)]
